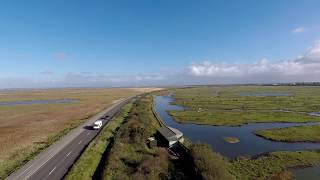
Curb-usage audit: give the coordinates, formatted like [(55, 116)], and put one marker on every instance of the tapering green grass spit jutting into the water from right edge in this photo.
[(292, 134)]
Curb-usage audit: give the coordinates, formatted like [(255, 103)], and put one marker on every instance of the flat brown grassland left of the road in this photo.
[(25, 130)]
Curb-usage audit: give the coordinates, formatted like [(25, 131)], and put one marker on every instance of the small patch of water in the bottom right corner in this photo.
[(310, 173)]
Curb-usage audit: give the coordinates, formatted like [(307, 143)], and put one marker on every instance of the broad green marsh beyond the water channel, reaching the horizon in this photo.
[(225, 105)]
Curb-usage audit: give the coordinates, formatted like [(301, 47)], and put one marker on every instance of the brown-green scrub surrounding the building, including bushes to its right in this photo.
[(130, 158)]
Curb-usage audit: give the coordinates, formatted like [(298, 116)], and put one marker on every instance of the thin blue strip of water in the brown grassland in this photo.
[(30, 102)]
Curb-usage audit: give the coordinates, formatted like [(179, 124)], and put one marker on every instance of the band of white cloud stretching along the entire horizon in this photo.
[(305, 67)]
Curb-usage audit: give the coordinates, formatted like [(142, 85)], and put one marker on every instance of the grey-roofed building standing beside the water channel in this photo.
[(168, 136)]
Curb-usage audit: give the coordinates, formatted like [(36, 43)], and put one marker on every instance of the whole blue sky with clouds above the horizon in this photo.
[(168, 42)]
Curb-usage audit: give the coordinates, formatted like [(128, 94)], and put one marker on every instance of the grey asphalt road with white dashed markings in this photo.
[(54, 162)]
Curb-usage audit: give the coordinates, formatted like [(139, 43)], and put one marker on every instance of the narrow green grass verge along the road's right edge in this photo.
[(88, 162)]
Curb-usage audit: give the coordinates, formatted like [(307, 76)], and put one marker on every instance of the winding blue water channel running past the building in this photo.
[(249, 144)]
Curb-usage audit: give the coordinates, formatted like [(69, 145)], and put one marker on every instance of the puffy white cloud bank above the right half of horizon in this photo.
[(305, 67)]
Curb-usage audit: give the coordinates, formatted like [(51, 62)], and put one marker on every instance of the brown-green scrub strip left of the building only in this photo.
[(130, 157)]
